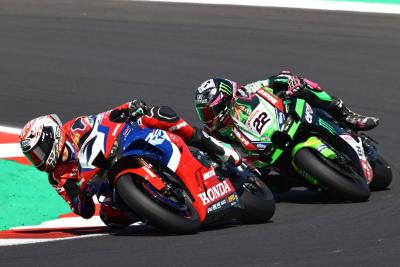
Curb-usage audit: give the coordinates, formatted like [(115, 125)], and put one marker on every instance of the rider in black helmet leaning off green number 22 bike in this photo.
[(215, 105)]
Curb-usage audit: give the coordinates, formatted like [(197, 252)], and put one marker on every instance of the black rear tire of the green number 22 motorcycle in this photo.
[(382, 174)]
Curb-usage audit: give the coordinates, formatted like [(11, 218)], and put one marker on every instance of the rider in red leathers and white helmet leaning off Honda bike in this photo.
[(53, 148)]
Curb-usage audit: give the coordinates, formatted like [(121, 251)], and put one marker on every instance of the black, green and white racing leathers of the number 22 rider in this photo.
[(283, 85)]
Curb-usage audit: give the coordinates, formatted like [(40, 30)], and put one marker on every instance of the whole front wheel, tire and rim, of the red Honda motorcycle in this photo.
[(172, 212)]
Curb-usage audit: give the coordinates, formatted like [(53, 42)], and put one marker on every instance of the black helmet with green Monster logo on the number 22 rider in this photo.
[(212, 101)]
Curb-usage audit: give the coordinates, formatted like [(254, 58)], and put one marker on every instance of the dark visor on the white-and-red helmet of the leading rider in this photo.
[(41, 151)]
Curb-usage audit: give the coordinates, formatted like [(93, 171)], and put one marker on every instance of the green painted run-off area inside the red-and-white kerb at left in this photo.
[(26, 197)]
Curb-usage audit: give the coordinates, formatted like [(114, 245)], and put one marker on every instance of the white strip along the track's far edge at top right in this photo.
[(302, 4)]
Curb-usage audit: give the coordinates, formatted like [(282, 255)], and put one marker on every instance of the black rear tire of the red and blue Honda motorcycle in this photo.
[(258, 201)]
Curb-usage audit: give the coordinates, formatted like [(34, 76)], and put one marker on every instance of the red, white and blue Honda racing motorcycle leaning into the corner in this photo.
[(152, 175)]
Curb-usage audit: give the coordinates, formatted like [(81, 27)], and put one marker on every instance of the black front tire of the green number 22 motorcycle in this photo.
[(342, 184)]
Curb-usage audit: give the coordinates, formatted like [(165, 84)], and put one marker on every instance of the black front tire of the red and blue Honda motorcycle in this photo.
[(147, 208)]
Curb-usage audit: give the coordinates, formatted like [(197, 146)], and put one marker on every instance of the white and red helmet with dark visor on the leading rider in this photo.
[(42, 141)]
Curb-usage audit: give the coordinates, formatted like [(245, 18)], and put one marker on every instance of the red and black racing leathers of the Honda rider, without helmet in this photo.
[(66, 177)]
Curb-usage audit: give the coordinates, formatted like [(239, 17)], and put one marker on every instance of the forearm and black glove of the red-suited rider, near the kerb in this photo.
[(80, 203)]
